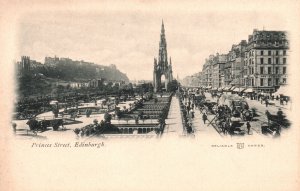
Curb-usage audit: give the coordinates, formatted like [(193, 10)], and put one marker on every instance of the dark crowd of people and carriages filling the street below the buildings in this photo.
[(223, 114)]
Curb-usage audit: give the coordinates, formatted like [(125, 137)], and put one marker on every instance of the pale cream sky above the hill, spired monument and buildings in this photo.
[(129, 38)]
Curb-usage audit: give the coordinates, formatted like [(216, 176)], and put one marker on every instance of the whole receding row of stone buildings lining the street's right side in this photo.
[(259, 65)]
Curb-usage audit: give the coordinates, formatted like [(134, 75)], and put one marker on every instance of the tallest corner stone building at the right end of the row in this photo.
[(266, 60)]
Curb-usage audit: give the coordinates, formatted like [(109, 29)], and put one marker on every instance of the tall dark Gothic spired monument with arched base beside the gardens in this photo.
[(161, 67)]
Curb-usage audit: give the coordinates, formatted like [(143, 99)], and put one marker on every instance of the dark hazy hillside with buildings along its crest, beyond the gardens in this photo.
[(53, 78)]
